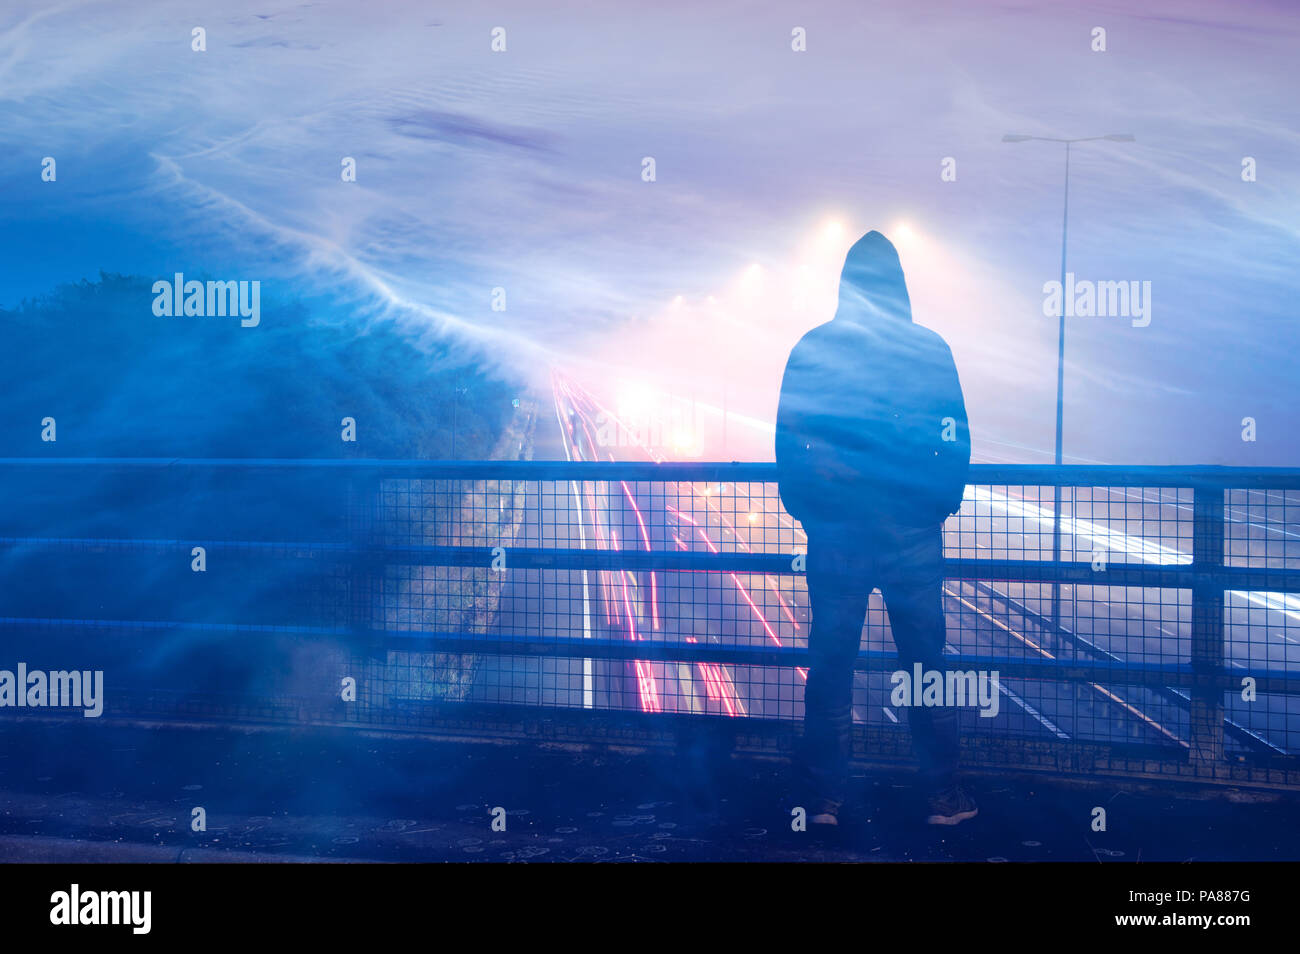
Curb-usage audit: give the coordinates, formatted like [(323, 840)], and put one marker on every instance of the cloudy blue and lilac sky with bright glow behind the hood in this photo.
[(523, 170)]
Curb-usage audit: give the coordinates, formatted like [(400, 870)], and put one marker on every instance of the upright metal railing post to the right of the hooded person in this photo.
[(1207, 656)]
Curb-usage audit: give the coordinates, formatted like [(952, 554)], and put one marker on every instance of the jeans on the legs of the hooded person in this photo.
[(843, 570)]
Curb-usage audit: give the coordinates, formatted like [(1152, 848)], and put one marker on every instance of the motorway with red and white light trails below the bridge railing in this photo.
[(993, 619)]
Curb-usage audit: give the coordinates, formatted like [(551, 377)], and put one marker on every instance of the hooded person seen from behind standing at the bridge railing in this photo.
[(873, 449)]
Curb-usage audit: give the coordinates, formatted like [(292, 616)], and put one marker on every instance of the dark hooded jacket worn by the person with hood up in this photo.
[(872, 431)]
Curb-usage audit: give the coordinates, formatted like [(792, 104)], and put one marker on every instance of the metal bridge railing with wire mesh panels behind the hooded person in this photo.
[(621, 604)]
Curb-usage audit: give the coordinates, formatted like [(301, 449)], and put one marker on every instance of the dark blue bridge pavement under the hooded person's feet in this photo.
[(83, 792)]
